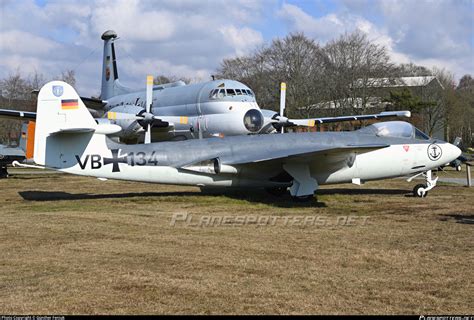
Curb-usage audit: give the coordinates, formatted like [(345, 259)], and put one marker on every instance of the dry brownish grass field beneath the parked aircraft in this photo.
[(74, 245)]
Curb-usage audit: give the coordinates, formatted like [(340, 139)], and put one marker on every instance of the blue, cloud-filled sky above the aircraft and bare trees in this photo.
[(189, 38)]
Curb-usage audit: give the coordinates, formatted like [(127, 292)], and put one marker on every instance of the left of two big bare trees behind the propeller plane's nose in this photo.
[(294, 59)]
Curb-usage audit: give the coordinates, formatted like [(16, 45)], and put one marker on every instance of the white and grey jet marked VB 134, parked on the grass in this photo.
[(69, 140)]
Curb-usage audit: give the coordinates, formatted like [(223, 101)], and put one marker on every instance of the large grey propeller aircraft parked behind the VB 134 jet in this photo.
[(179, 111)]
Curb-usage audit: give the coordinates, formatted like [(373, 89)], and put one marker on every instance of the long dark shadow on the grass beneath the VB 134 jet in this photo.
[(256, 196)]
